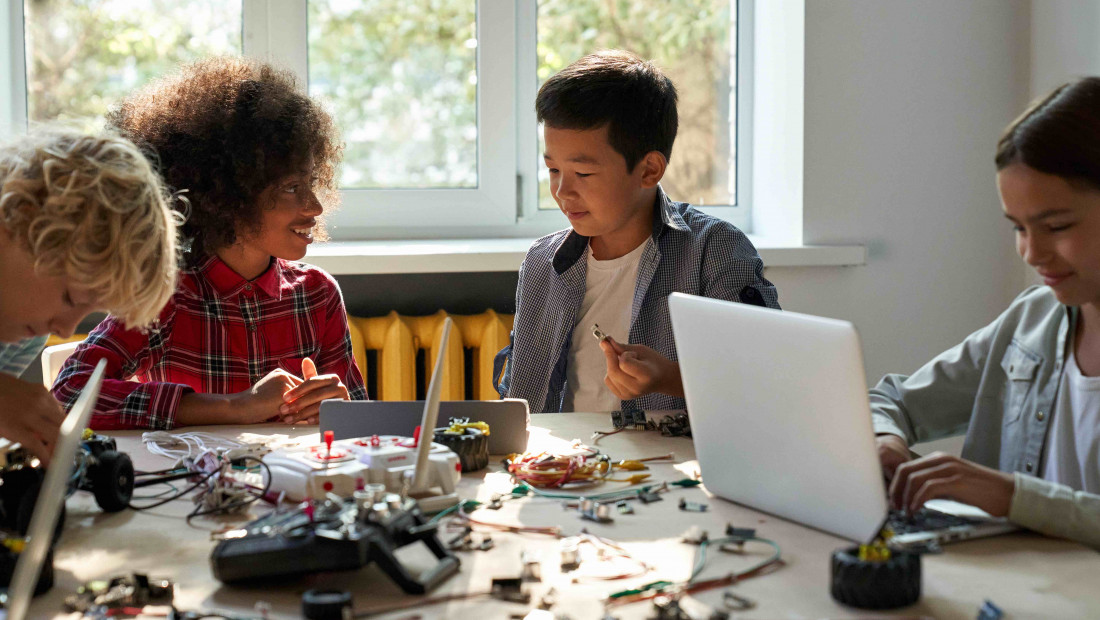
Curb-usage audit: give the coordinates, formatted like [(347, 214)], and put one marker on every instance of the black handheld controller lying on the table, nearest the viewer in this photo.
[(334, 535)]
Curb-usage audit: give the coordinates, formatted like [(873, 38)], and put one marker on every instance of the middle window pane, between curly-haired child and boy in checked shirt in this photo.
[(402, 79)]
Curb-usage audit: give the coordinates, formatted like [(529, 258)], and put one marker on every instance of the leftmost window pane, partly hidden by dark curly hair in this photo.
[(83, 56)]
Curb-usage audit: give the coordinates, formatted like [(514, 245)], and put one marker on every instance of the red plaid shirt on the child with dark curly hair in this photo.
[(219, 334)]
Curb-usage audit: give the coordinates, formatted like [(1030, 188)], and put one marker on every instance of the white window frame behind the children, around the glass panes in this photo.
[(505, 202)]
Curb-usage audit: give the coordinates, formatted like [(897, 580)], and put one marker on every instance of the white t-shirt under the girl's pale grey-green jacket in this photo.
[(1072, 455)]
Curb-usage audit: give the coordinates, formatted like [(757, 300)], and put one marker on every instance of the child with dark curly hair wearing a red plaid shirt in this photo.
[(250, 336)]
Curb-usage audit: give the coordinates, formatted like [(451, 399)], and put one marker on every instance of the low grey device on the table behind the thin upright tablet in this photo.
[(508, 419)]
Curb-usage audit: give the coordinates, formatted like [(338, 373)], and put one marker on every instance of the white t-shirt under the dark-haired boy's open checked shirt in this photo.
[(609, 295)]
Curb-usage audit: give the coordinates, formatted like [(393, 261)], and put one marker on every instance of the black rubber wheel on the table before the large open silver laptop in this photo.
[(876, 585)]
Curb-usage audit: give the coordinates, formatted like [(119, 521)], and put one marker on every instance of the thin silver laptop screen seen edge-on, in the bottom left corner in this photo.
[(48, 508)]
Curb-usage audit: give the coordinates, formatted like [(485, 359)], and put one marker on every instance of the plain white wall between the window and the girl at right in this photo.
[(905, 103)]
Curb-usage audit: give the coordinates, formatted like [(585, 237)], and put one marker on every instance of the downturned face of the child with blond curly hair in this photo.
[(34, 305)]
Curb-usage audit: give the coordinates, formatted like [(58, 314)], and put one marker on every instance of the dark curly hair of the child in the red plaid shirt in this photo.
[(224, 130)]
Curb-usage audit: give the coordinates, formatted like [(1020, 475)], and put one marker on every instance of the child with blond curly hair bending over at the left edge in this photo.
[(85, 226)]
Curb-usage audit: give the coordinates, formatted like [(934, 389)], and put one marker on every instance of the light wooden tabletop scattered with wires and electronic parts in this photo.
[(1025, 574)]
